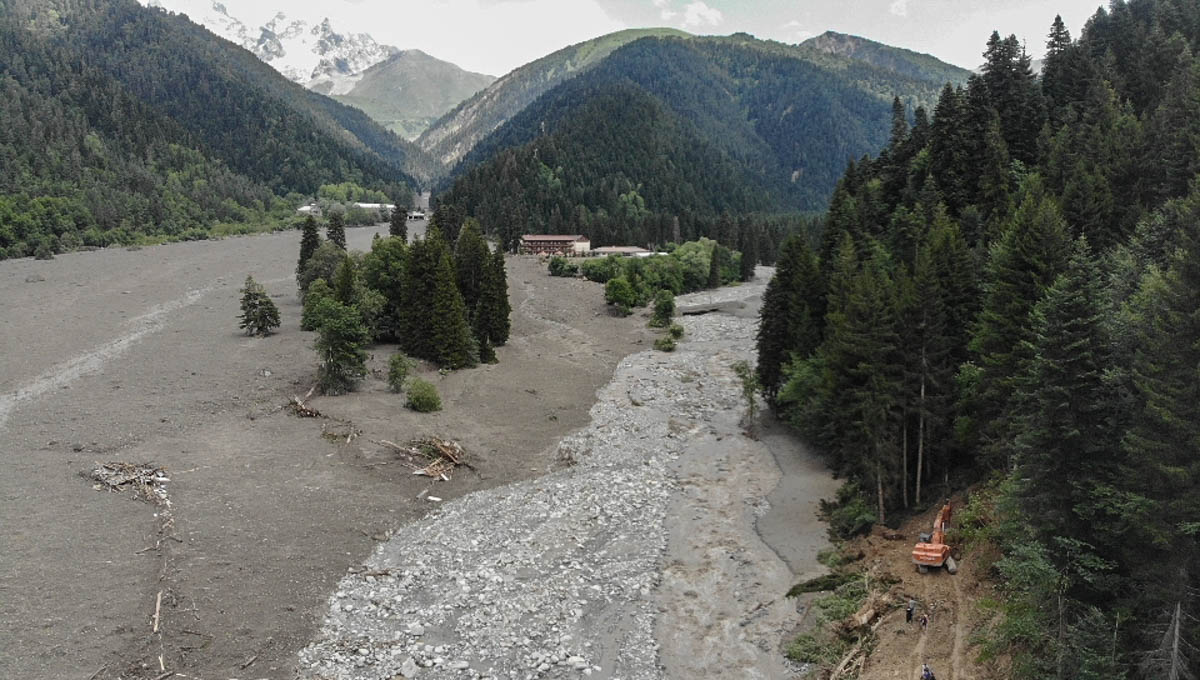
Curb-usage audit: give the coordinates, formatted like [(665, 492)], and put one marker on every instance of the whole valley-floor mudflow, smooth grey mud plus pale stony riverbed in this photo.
[(615, 521)]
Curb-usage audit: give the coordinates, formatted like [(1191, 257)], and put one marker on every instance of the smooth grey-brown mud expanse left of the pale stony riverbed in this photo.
[(135, 356)]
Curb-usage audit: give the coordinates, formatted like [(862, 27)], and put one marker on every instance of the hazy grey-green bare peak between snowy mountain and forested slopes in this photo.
[(407, 92)]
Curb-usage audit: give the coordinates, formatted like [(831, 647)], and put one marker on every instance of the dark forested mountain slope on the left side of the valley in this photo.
[(123, 122)]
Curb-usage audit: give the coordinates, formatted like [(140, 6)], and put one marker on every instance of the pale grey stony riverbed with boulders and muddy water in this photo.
[(562, 576)]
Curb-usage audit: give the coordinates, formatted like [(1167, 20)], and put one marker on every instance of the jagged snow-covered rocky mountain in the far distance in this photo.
[(303, 50)]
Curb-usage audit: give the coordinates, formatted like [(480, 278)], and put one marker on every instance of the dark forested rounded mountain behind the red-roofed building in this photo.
[(683, 127)]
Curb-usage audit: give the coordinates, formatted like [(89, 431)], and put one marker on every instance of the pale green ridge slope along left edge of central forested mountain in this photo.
[(455, 134)]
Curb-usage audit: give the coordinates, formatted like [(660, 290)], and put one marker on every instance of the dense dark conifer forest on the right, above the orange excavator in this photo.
[(1009, 293)]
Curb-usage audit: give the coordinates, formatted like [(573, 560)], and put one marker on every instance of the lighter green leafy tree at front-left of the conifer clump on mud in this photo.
[(340, 340)]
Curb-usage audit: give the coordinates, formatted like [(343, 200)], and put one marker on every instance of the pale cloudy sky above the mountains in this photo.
[(496, 37)]
